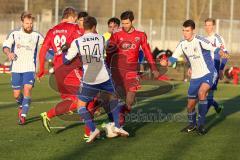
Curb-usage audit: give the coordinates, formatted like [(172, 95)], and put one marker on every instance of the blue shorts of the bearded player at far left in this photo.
[(20, 79)]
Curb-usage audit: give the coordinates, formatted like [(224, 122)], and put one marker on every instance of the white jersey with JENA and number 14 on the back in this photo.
[(90, 46)]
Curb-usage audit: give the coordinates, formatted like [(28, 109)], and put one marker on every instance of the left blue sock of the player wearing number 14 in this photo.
[(83, 112)]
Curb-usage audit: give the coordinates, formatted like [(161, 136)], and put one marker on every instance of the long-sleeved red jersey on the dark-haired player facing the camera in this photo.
[(128, 45)]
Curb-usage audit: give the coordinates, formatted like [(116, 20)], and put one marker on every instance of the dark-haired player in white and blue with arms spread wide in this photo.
[(196, 49)]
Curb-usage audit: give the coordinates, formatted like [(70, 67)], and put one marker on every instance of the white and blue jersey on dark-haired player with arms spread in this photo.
[(197, 53)]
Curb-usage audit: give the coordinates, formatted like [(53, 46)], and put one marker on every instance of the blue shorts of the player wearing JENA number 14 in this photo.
[(89, 92)]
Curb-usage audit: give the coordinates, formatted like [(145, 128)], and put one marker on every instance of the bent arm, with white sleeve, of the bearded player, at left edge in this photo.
[(7, 45)]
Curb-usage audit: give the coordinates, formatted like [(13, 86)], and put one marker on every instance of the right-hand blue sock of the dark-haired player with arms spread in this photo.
[(202, 111)]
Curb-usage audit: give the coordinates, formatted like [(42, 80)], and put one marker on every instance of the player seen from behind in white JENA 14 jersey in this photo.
[(96, 77)]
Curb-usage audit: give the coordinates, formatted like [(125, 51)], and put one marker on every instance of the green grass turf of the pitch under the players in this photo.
[(154, 127)]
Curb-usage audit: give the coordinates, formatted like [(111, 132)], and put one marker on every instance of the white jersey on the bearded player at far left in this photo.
[(25, 46)]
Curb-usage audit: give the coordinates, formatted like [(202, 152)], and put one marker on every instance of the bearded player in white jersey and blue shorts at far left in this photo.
[(21, 47)]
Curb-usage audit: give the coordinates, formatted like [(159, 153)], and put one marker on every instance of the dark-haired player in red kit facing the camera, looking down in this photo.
[(122, 57)]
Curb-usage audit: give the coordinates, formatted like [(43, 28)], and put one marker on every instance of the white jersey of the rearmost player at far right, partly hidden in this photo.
[(217, 41)]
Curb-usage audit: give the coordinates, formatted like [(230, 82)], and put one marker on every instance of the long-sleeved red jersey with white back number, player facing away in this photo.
[(63, 33)]
